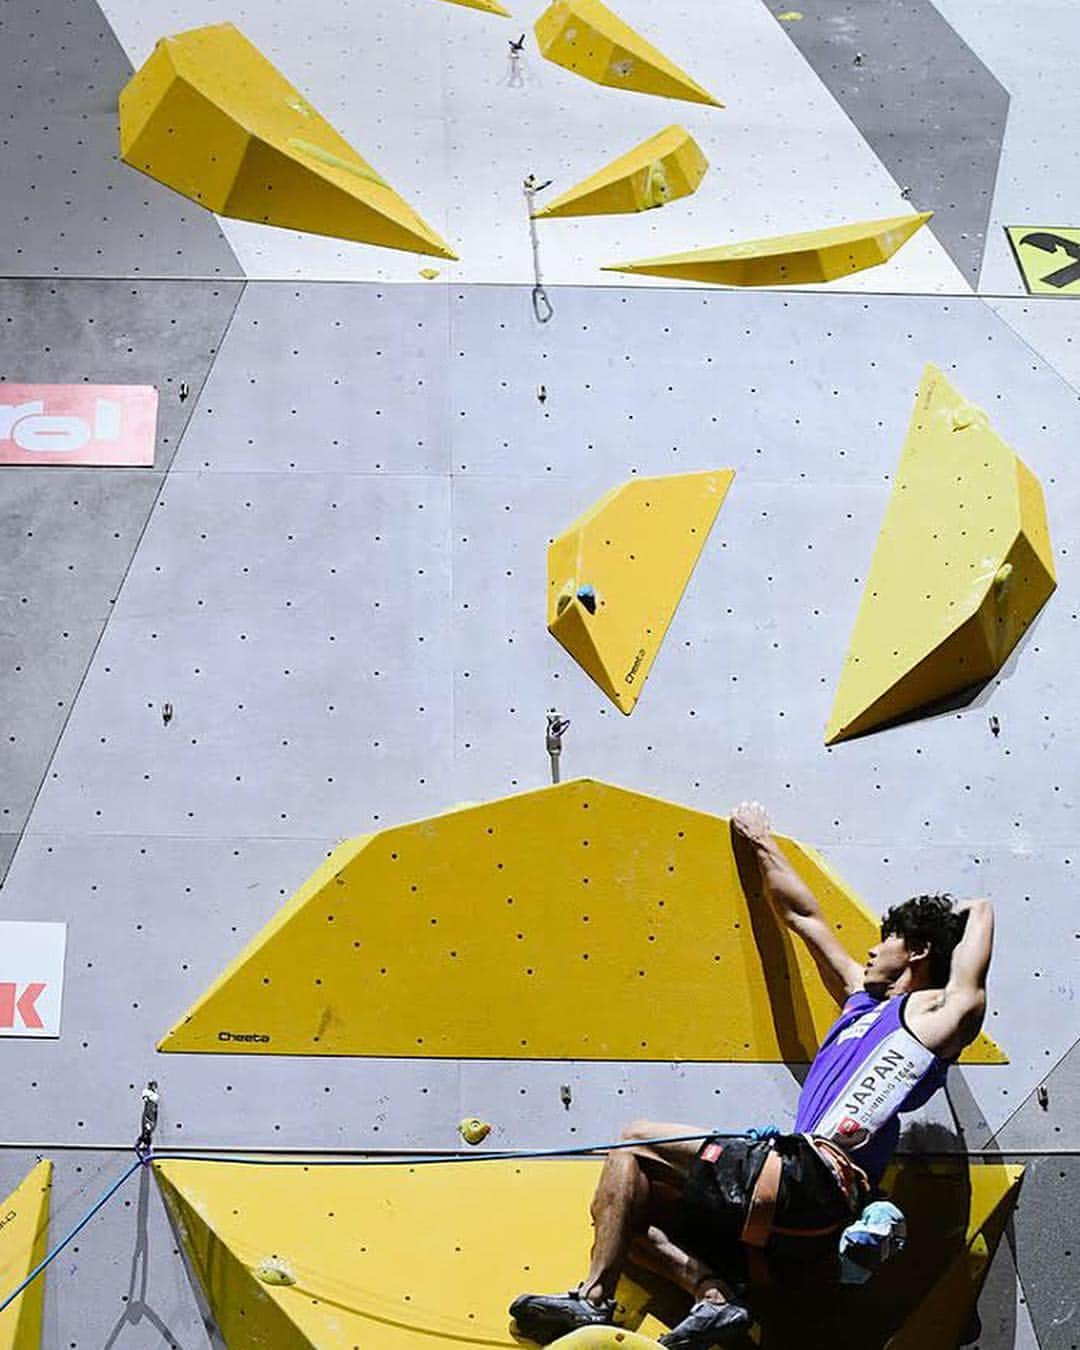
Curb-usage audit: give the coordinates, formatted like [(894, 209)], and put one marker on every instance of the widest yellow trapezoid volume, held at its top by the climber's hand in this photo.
[(535, 927)]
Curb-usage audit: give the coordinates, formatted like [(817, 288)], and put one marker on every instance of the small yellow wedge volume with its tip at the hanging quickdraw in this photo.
[(662, 169)]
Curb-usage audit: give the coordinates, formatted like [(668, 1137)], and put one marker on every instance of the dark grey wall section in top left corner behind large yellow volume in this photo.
[(71, 207)]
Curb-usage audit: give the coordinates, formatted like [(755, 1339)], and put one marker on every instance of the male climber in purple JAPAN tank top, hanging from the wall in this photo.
[(712, 1217)]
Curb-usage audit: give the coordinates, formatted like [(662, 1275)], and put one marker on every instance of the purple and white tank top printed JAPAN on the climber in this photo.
[(870, 1069)]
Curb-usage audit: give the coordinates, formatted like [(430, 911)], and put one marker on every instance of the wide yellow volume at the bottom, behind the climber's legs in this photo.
[(394, 1256)]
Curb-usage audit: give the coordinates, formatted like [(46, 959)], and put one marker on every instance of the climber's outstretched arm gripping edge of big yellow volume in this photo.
[(796, 907)]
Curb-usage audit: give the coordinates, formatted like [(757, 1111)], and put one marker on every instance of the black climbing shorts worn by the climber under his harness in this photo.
[(719, 1190)]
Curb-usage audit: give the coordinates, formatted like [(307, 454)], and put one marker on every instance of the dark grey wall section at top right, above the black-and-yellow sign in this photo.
[(928, 107)]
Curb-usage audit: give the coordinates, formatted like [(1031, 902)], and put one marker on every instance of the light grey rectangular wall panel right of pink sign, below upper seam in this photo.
[(334, 380)]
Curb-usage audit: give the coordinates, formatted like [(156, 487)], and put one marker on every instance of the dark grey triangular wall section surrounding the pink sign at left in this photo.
[(68, 535)]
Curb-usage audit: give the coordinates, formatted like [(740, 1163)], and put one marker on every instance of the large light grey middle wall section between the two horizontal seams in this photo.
[(348, 646)]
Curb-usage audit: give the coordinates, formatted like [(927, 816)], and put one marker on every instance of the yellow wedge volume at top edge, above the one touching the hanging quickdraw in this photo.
[(588, 38)]
